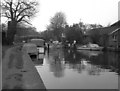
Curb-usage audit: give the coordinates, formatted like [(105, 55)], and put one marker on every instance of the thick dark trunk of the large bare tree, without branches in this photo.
[(11, 31)]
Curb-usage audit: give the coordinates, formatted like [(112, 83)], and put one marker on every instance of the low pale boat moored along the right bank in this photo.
[(92, 47)]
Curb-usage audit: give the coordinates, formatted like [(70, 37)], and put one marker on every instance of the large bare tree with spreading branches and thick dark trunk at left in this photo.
[(17, 11)]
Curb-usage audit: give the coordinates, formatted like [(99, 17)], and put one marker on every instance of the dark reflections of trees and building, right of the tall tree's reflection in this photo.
[(95, 64)]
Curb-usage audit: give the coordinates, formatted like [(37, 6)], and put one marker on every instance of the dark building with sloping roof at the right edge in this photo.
[(108, 37)]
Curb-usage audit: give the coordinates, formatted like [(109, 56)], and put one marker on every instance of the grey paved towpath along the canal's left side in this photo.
[(19, 72)]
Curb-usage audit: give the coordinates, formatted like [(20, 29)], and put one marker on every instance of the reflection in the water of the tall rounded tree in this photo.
[(56, 64)]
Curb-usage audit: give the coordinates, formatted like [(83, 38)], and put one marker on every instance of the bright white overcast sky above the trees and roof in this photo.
[(89, 11)]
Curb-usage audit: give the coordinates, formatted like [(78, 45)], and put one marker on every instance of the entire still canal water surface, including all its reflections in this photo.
[(68, 69)]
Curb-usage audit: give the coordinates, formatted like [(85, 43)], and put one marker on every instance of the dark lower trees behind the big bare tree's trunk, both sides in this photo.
[(23, 32)]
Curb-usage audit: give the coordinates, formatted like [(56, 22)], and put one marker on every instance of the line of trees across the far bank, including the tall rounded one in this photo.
[(59, 30)]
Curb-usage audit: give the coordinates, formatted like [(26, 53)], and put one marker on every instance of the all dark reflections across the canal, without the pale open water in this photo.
[(94, 62)]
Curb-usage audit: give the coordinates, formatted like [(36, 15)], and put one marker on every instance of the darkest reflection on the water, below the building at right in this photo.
[(107, 61)]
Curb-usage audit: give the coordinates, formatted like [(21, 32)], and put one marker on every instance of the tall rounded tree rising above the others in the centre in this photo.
[(57, 24)]
